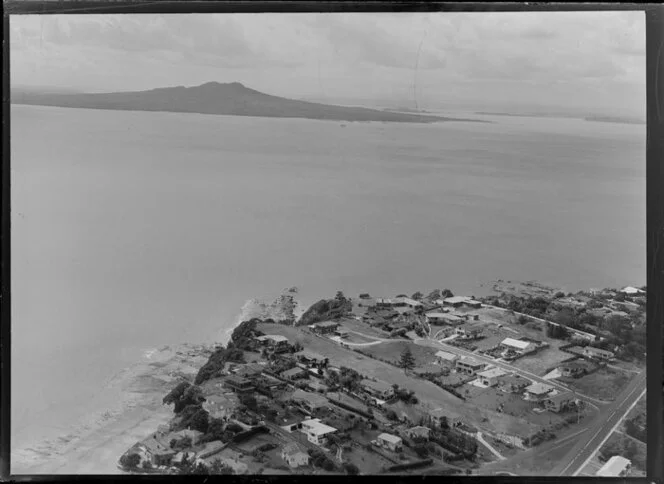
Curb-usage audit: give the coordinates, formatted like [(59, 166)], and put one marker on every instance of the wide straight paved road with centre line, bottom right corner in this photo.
[(610, 417)]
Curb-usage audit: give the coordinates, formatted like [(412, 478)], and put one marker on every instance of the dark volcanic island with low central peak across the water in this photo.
[(232, 99)]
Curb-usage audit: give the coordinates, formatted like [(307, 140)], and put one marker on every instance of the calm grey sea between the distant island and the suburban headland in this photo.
[(132, 230)]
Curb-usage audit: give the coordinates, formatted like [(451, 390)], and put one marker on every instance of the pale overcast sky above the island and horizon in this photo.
[(588, 61)]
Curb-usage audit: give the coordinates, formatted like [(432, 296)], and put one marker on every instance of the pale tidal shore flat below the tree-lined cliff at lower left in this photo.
[(129, 409)]
